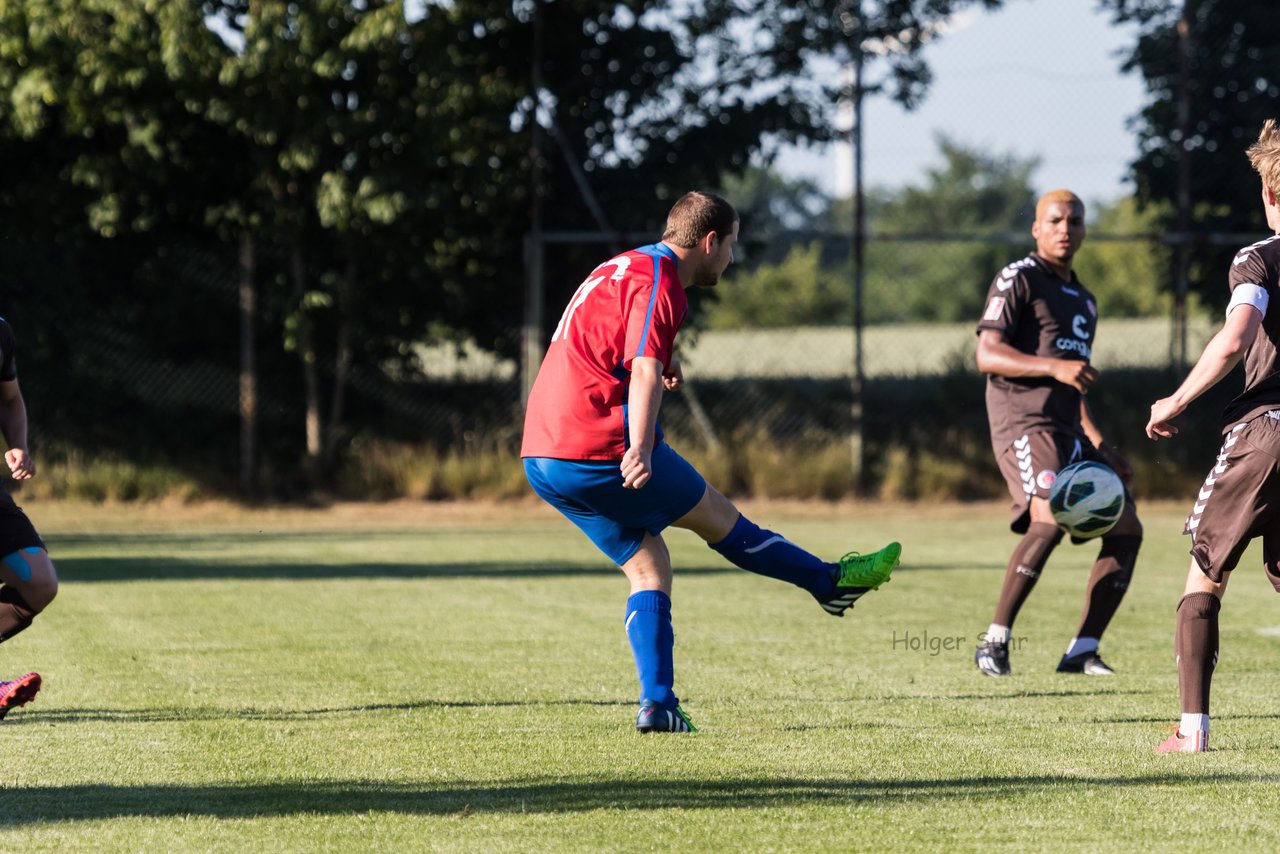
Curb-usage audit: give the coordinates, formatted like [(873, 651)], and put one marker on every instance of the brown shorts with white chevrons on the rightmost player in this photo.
[(1240, 501)]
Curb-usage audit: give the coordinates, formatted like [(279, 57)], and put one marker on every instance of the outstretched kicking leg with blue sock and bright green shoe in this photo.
[(836, 587)]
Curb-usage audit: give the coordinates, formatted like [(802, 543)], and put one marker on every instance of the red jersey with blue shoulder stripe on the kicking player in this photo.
[(632, 305)]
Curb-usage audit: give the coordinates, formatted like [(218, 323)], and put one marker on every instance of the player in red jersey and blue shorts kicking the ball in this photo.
[(593, 449)]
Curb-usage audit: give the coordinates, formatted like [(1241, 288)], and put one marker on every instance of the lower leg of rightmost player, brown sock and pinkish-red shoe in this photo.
[(1196, 649)]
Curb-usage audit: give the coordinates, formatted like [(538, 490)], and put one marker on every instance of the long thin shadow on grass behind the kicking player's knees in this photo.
[(179, 569)]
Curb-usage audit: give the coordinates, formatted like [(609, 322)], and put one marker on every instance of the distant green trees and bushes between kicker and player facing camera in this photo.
[(970, 193)]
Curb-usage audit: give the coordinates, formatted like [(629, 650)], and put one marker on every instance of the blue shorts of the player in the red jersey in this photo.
[(616, 519)]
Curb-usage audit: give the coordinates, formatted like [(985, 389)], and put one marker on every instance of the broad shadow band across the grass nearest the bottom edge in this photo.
[(35, 805)]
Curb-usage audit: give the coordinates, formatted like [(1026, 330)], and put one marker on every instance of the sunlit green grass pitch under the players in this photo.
[(452, 678)]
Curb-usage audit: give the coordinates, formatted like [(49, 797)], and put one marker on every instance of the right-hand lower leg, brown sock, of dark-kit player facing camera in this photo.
[(1109, 581)]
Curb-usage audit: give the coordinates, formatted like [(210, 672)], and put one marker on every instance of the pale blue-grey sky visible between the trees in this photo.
[(1034, 79)]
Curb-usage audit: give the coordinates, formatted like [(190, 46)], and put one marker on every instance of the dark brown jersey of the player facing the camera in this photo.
[(1041, 316)]
